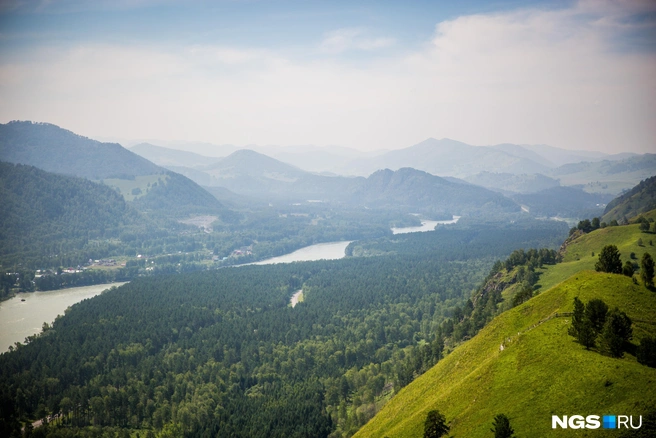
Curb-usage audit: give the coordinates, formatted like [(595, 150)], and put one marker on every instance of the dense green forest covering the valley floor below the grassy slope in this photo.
[(222, 352)]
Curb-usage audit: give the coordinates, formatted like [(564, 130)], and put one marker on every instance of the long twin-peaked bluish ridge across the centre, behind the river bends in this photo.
[(253, 174)]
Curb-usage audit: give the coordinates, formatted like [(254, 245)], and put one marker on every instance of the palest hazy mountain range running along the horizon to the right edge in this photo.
[(508, 168)]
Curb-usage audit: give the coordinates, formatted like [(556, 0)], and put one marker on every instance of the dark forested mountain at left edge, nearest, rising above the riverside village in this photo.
[(45, 214)]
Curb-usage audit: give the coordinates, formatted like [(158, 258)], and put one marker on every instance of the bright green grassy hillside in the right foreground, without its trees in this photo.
[(541, 371)]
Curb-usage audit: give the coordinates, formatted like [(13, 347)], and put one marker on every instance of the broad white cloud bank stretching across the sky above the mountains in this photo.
[(528, 76)]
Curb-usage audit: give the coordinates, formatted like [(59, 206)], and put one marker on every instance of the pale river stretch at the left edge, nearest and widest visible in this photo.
[(20, 319)]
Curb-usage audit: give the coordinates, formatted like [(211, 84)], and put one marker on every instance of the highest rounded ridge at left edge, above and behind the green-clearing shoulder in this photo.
[(54, 149)]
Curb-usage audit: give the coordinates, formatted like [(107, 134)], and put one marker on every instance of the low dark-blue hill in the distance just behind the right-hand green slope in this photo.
[(566, 202)]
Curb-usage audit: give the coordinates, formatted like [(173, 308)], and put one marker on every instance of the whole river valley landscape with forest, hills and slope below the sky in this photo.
[(252, 298)]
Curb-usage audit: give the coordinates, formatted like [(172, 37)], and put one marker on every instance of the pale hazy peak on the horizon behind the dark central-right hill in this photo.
[(447, 158)]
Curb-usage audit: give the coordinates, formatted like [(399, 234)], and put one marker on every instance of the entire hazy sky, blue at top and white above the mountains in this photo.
[(362, 74)]
